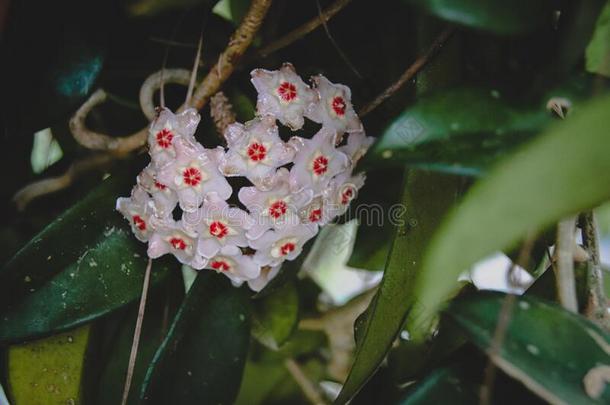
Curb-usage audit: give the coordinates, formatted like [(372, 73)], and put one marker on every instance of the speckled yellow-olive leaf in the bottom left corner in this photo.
[(48, 371)]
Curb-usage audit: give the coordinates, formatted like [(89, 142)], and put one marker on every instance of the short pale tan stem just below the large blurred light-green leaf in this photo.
[(564, 271)]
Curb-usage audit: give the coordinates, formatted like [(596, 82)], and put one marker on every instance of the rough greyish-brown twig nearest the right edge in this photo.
[(596, 298)]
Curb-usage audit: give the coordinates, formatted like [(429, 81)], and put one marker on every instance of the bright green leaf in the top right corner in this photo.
[(597, 55)]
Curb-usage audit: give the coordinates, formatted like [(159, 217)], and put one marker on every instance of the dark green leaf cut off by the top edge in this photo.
[(501, 17)]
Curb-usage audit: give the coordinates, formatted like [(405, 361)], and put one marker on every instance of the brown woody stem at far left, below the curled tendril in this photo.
[(43, 187)]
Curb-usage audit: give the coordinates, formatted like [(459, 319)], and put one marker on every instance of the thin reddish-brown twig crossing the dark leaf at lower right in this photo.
[(504, 317)]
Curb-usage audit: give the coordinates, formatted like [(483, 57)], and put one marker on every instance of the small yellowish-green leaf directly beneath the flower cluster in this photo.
[(276, 316)]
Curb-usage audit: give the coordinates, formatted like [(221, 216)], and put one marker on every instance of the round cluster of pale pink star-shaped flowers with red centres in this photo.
[(297, 185)]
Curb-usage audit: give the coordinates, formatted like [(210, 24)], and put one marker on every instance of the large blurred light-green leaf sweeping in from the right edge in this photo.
[(557, 174)]
